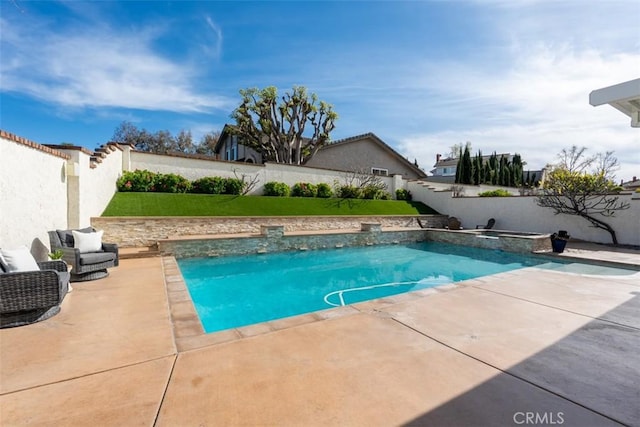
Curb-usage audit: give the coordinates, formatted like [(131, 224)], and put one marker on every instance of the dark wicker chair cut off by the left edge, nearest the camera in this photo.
[(32, 296)]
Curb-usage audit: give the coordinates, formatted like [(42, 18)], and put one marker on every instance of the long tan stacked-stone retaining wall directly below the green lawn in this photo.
[(147, 231)]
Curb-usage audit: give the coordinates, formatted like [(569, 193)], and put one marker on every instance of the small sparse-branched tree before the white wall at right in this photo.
[(584, 186)]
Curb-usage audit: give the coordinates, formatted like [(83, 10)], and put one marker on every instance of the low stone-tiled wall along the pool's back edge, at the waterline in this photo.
[(272, 239)]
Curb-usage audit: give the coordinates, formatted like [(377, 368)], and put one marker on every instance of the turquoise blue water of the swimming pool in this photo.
[(230, 292)]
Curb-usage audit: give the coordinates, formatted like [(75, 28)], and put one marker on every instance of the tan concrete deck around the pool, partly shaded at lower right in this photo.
[(556, 348)]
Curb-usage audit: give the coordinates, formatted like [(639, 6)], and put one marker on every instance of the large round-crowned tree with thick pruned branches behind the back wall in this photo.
[(275, 126)]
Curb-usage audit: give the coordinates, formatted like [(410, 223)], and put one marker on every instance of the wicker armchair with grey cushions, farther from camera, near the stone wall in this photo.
[(86, 266)]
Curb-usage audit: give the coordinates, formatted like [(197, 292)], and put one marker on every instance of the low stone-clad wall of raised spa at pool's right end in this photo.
[(505, 242)]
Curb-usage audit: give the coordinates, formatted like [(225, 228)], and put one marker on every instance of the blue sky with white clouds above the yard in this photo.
[(506, 75)]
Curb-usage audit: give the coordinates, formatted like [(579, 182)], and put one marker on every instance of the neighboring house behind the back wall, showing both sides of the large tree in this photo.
[(361, 153)]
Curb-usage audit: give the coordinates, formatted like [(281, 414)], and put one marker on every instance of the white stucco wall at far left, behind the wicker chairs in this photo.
[(33, 194)]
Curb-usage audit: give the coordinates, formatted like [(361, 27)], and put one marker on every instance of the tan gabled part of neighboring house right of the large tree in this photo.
[(365, 153)]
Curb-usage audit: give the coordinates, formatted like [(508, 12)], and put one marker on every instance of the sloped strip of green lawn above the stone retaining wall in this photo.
[(168, 204)]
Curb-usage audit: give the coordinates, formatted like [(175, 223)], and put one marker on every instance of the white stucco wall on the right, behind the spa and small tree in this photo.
[(523, 214)]
